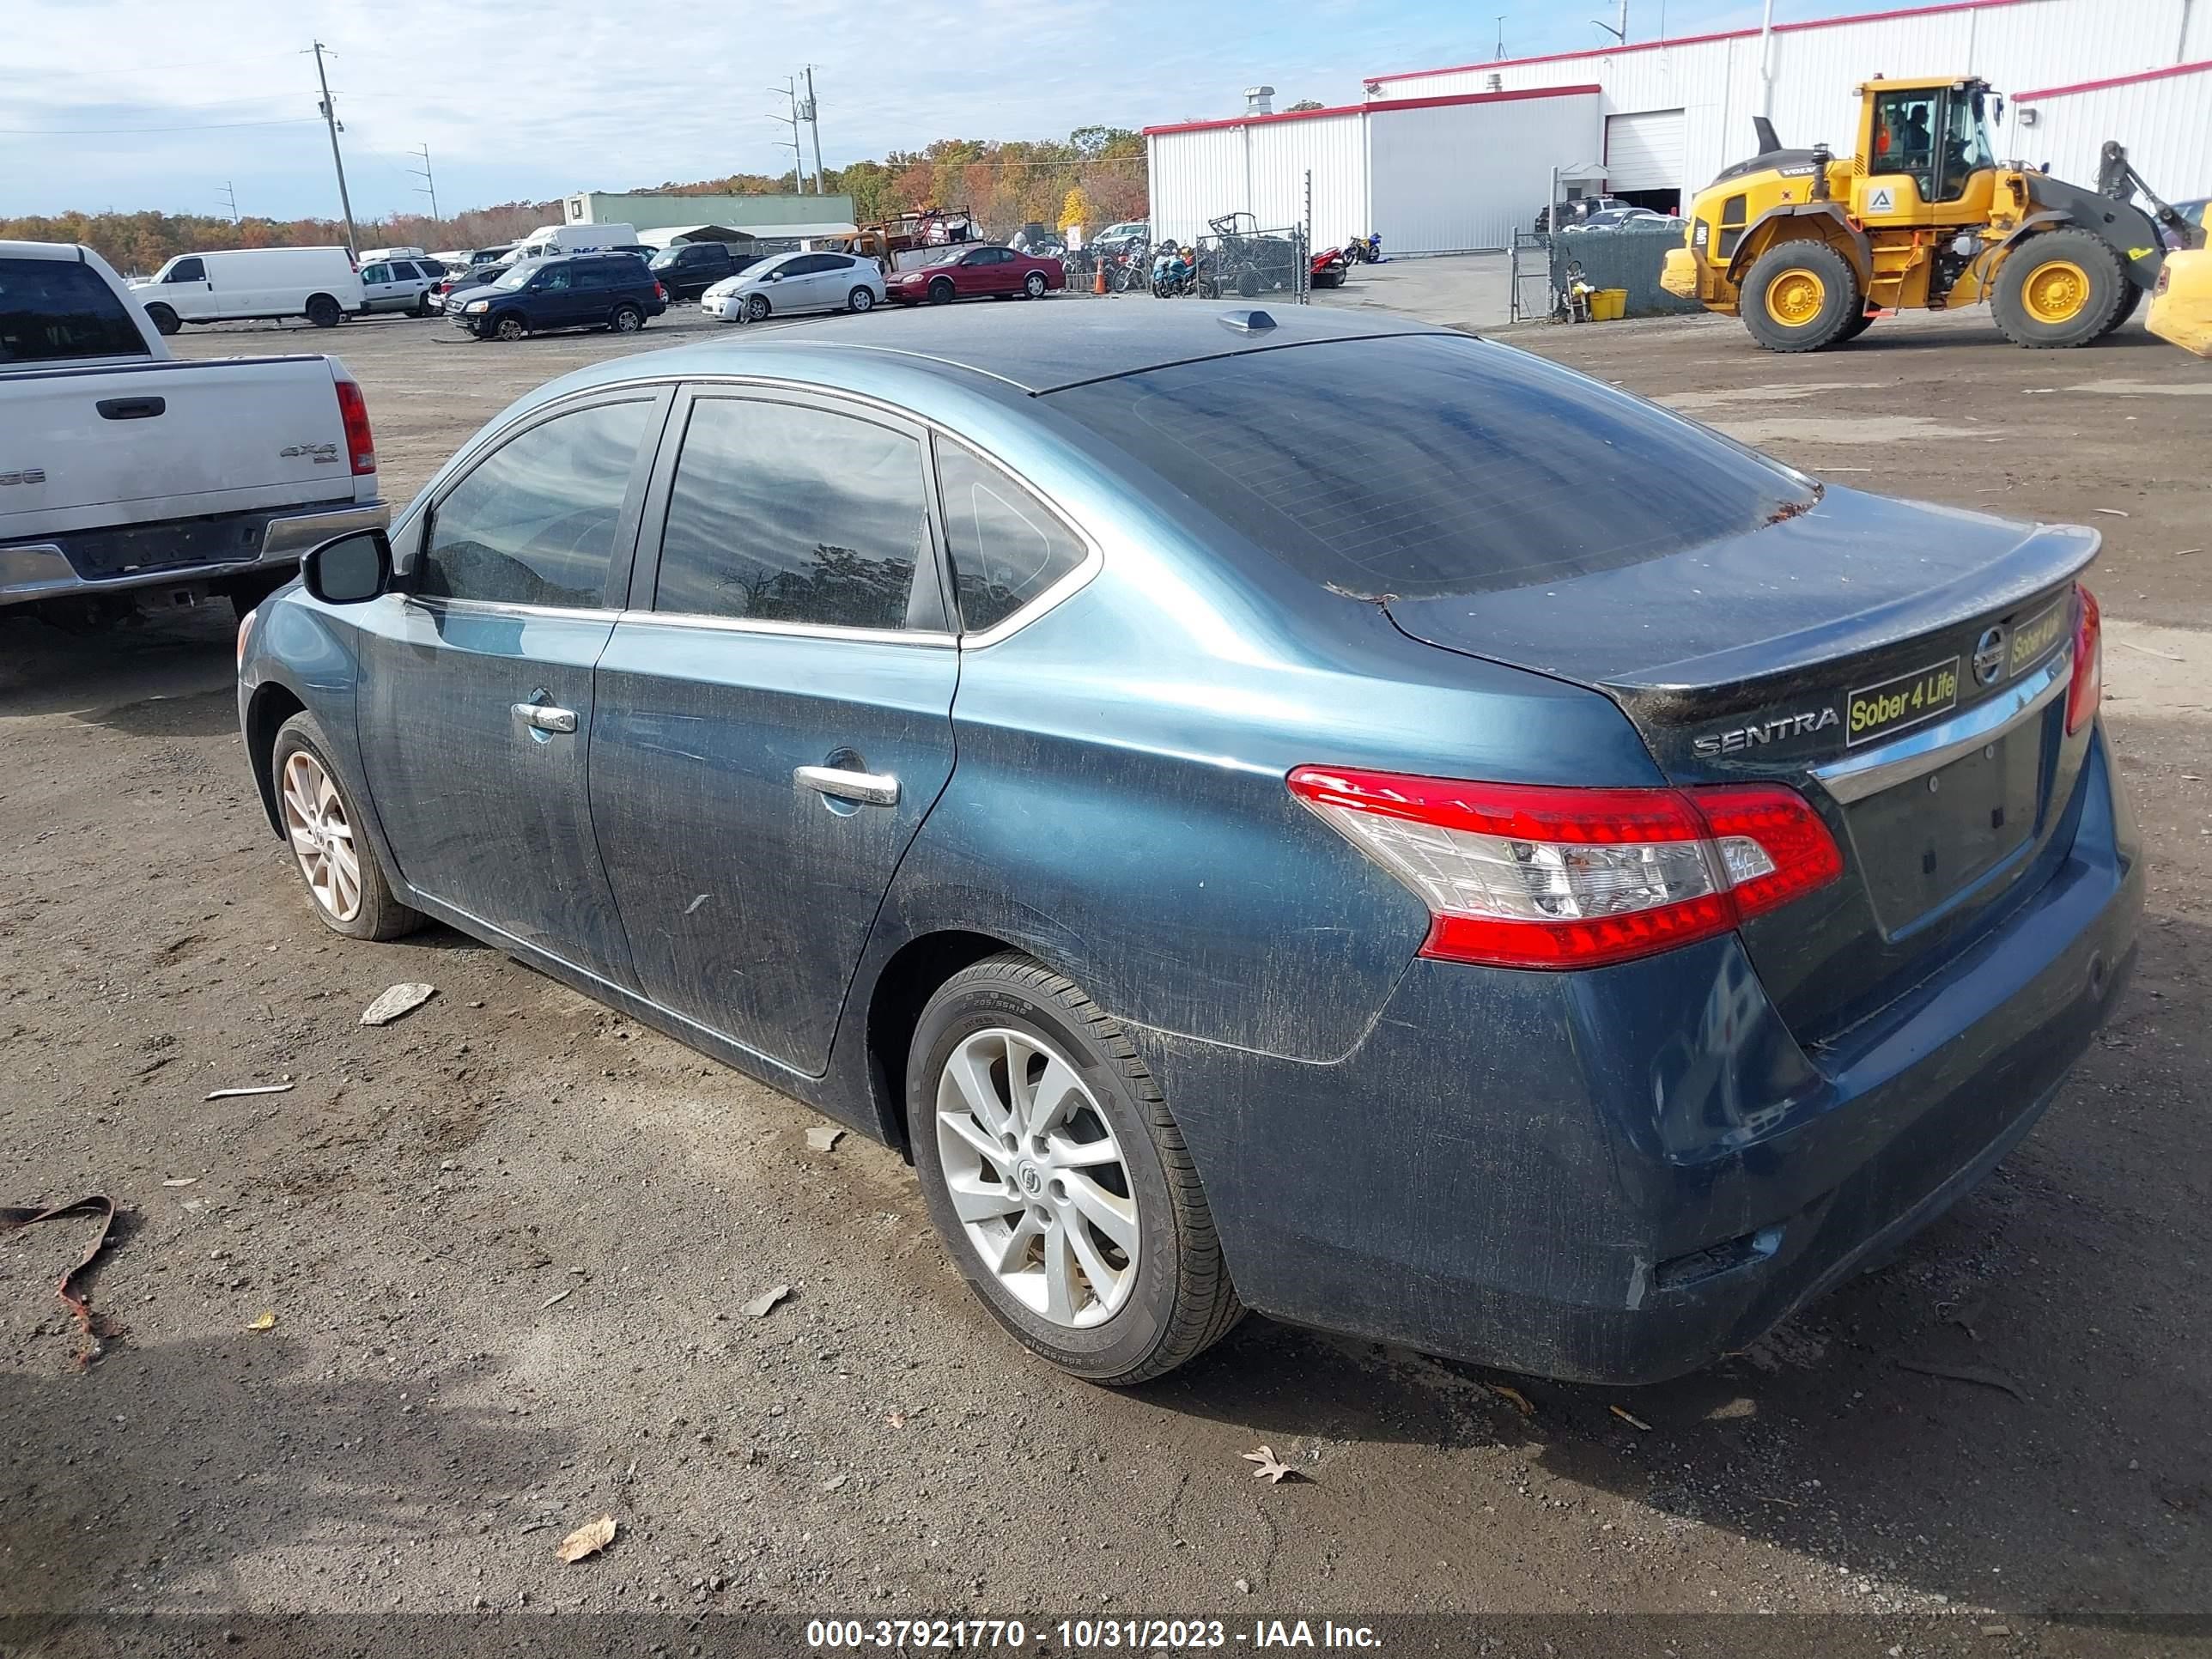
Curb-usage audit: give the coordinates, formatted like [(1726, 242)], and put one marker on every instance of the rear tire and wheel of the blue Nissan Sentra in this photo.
[(1058, 1178)]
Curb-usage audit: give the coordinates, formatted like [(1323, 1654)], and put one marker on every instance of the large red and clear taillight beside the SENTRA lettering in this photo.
[(1563, 879)]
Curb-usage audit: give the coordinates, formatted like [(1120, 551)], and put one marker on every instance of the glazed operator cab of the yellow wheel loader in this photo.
[(1926, 154)]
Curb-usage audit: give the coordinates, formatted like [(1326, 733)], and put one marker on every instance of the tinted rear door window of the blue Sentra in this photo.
[(793, 514)]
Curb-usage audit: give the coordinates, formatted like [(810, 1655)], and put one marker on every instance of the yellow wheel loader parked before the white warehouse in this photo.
[(1806, 247)]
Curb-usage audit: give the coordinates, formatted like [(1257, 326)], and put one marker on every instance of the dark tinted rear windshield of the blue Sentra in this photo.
[(1430, 466)]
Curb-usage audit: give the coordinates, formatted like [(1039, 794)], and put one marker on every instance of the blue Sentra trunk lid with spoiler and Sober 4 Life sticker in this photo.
[(1903, 667)]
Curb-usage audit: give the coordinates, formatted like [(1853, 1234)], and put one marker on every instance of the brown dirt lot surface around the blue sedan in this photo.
[(508, 1240)]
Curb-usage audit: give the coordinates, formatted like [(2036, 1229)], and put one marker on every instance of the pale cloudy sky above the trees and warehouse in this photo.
[(143, 105)]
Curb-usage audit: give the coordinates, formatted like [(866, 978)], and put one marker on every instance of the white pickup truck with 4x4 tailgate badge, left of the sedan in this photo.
[(134, 481)]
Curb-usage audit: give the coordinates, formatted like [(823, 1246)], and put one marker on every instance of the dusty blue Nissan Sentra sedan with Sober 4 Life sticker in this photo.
[(1269, 811)]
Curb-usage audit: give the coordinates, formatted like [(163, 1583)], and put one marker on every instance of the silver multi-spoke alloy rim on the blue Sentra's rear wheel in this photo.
[(1036, 1176)]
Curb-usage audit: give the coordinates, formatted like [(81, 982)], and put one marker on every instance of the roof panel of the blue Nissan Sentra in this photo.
[(1036, 351)]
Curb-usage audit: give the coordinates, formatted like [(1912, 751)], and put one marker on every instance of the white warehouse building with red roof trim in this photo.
[(1448, 160)]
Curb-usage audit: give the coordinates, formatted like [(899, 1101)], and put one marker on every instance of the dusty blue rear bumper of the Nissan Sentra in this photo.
[(1623, 1176)]
